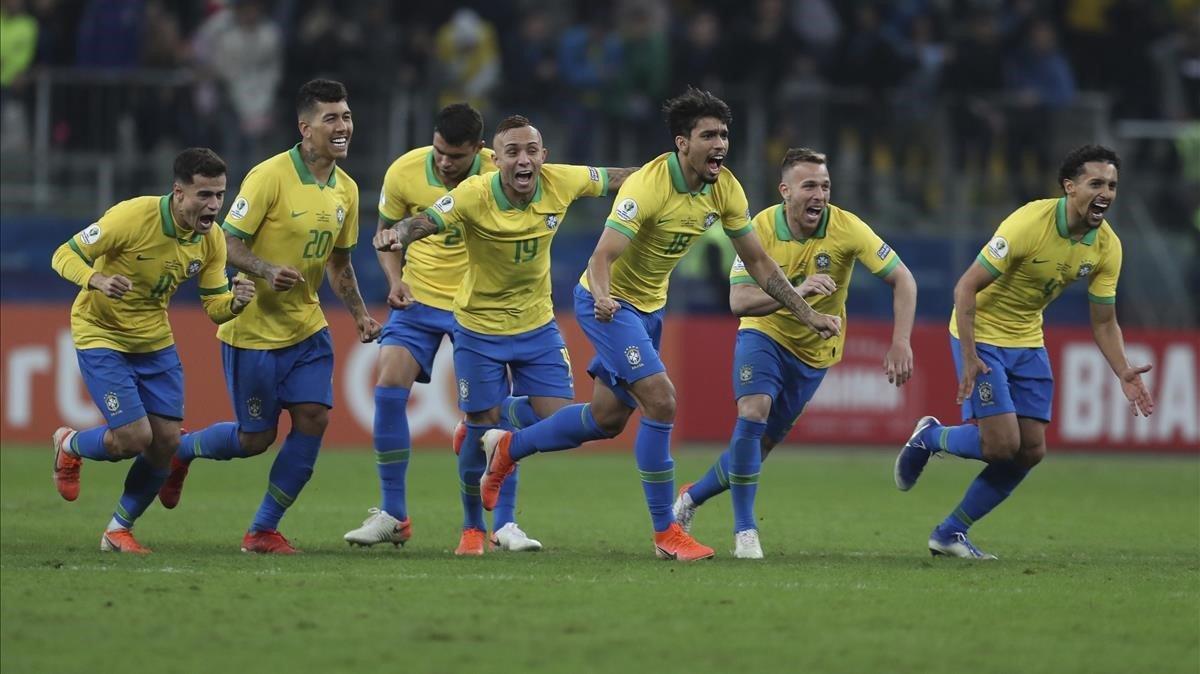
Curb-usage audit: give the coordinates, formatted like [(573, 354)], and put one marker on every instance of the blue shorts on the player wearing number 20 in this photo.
[(263, 382)]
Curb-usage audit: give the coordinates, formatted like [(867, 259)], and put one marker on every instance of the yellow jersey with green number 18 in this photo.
[(663, 220)]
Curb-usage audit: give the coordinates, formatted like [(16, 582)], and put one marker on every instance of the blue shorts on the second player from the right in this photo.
[(761, 366)]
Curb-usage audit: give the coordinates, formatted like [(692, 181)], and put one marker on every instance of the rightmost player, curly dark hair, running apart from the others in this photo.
[(1005, 380)]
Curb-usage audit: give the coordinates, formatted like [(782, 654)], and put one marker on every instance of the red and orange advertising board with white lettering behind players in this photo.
[(855, 406)]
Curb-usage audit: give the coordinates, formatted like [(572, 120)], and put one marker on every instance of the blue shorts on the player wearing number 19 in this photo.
[(537, 360)]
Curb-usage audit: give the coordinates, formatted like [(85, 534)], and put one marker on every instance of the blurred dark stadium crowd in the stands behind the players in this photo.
[(940, 116)]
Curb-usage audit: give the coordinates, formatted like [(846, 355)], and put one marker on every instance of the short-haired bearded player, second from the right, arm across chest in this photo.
[(778, 362)]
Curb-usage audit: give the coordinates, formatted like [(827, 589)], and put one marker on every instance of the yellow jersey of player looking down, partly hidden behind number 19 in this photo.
[(435, 266)]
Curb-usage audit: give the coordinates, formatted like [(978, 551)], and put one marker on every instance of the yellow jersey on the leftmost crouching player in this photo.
[(139, 240)]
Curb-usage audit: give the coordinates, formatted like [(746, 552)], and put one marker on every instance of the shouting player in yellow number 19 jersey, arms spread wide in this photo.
[(503, 312)]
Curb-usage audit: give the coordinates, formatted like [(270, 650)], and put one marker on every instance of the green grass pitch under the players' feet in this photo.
[(1100, 571)]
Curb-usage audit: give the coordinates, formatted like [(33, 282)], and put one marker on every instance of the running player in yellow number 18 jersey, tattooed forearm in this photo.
[(620, 302)]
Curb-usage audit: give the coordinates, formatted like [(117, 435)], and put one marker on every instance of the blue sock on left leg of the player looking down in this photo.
[(393, 449)]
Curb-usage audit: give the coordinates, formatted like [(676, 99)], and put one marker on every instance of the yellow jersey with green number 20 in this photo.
[(287, 219)]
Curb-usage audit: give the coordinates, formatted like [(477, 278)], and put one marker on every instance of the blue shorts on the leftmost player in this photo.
[(128, 387)]
